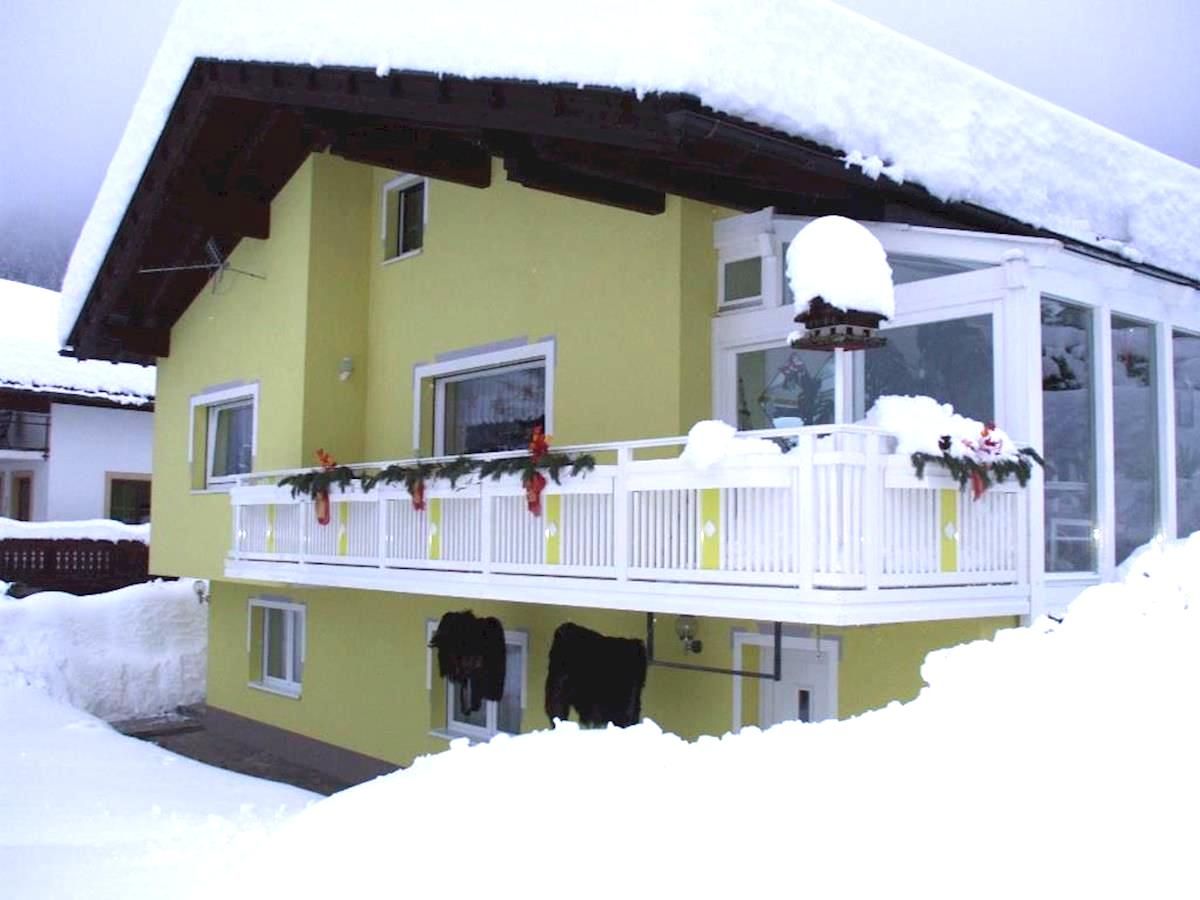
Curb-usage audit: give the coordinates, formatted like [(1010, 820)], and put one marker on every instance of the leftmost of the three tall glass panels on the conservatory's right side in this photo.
[(1070, 437)]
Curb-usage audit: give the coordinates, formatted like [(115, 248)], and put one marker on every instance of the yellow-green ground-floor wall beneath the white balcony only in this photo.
[(365, 667)]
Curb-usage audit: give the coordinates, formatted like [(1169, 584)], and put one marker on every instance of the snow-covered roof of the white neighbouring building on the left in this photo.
[(31, 361)]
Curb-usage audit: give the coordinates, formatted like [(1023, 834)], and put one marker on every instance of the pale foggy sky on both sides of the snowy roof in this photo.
[(70, 71)]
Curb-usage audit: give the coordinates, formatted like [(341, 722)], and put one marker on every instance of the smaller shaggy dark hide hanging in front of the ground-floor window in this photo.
[(471, 653)]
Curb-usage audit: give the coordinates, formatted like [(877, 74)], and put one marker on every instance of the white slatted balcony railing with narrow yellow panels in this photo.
[(837, 532)]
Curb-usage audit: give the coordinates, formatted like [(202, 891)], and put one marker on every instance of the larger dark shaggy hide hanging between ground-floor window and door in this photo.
[(602, 677)]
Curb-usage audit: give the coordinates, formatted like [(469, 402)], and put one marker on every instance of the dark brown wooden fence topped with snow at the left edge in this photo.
[(79, 567)]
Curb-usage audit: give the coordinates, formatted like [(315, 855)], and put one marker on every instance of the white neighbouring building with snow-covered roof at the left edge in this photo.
[(76, 435)]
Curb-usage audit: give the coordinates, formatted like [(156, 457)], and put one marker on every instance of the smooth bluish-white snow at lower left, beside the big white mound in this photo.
[(87, 813)]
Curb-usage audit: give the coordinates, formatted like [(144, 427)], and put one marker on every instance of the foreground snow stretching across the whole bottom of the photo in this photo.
[(1053, 761)]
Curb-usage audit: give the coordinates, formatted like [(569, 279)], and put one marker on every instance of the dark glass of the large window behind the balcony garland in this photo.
[(494, 411)]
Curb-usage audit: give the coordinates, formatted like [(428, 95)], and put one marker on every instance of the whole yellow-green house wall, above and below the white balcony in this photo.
[(628, 301)]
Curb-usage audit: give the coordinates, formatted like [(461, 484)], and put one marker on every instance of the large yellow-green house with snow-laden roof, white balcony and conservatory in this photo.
[(586, 233)]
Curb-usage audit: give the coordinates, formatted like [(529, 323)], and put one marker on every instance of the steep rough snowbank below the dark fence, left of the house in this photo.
[(134, 652)]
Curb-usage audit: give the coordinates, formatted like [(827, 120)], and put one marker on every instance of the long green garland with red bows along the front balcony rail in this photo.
[(317, 484)]
